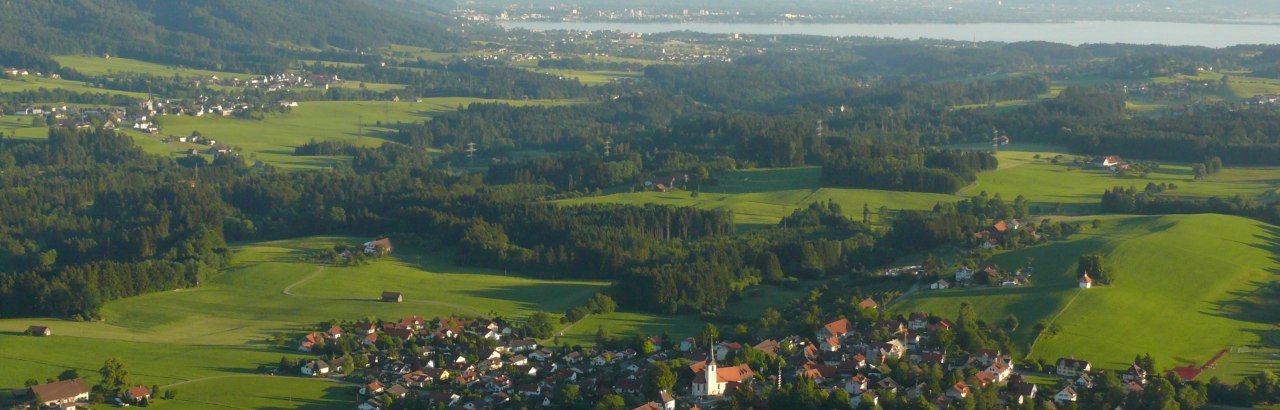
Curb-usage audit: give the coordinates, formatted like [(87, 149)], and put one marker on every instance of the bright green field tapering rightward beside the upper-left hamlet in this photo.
[(272, 140)]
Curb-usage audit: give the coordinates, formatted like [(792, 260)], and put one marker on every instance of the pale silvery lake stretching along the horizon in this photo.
[(1212, 35)]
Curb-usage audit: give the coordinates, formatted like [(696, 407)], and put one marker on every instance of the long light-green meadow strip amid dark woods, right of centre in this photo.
[(764, 197)]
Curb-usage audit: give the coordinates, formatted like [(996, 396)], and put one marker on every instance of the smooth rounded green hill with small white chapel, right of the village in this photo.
[(1177, 280)]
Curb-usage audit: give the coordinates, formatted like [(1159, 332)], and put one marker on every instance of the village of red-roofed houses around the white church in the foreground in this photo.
[(488, 365)]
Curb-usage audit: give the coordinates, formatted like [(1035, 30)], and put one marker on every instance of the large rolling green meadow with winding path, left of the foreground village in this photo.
[(220, 329)]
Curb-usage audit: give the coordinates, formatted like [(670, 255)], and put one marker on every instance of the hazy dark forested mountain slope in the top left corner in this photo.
[(214, 34)]
